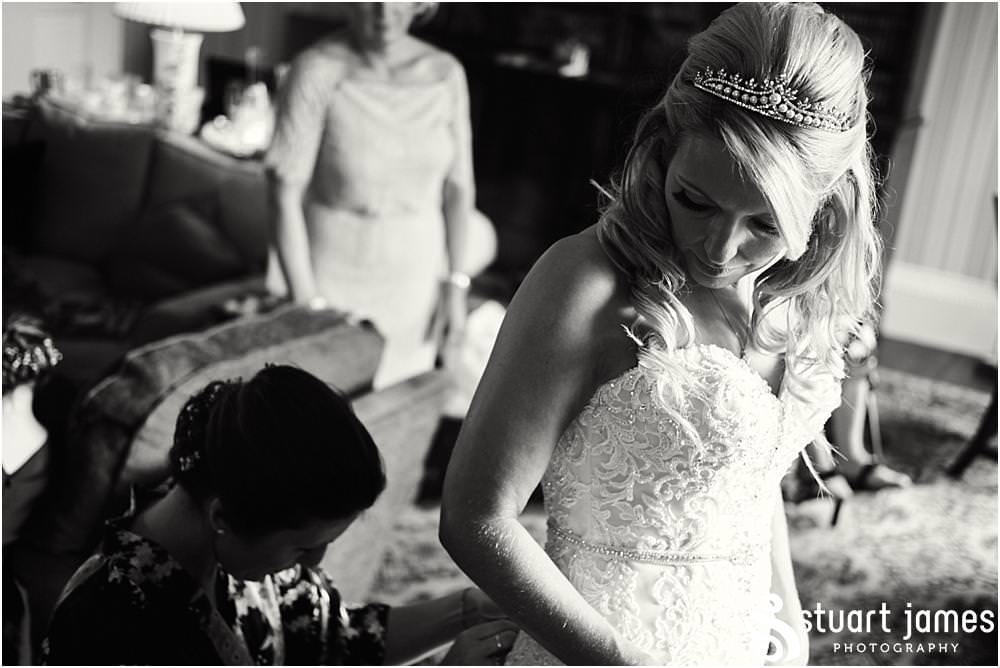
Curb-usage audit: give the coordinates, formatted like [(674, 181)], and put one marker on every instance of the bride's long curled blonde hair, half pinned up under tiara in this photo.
[(819, 185)]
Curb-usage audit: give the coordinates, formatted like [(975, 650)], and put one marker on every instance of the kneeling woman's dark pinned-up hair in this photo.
[(279, 450)]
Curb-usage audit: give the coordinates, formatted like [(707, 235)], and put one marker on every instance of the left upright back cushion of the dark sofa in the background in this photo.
[(92, 182)]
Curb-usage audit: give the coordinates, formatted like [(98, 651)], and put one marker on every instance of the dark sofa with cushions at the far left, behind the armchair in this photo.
[(121, 234)]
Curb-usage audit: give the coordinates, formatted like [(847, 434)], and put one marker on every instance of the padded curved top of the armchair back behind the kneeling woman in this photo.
[(122, 430)]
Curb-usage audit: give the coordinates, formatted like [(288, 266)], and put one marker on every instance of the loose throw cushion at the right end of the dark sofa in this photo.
[(173, 248)]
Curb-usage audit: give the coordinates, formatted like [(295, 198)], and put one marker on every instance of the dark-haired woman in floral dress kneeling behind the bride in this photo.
[(221, 570)]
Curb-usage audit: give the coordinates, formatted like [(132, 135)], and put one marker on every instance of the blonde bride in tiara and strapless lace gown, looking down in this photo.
[(660, 371)]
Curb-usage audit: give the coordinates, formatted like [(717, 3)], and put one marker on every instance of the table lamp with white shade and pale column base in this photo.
[(176, 36)]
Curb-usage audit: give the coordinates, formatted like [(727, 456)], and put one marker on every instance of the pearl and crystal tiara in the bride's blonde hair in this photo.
[(772, 98)]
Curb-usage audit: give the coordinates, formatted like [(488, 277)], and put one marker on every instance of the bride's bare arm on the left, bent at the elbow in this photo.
[(540, 374)]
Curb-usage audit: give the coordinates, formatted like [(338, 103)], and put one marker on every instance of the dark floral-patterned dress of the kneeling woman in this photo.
[(132, 603)]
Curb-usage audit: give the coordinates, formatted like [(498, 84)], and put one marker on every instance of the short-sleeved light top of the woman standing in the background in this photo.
[(373, 147)]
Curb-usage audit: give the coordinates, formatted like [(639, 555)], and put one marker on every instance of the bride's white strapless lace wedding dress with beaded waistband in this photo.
[(668, 541)]
